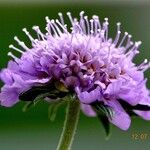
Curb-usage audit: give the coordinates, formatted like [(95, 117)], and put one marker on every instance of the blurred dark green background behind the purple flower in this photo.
[(33, 130)]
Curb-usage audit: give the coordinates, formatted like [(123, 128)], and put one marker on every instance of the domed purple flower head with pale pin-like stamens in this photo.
[(86, 62)]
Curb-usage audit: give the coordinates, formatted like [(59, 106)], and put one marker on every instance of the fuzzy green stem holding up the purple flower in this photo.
[(70, 125)]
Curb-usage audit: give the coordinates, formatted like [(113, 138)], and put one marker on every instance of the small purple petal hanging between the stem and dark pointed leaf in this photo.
[(87, 110)]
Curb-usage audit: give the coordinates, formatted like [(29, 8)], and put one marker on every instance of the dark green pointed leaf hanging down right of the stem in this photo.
[(104, 112)]
